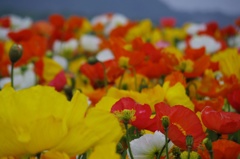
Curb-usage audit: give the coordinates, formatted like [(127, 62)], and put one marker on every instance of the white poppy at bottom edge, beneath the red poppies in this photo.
[(148, 145)]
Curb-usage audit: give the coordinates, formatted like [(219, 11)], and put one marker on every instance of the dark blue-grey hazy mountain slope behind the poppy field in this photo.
[(133, 9)]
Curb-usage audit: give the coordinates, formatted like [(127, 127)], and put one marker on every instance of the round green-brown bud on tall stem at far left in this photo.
[(15, 53)]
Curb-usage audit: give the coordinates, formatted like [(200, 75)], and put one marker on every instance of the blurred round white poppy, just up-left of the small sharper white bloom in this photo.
[(90, 43)]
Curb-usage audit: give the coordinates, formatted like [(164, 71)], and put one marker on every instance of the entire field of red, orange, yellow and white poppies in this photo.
[(110, 87)]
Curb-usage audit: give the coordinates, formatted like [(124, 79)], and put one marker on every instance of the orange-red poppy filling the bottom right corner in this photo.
[(222, 149)]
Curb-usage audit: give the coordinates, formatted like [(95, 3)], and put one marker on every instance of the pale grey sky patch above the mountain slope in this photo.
[(230, 7)]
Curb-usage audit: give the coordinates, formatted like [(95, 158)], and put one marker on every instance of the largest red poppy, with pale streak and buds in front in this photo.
[(183, 122)]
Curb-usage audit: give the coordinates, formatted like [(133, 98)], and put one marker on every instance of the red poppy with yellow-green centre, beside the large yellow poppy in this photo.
[(141, 113)]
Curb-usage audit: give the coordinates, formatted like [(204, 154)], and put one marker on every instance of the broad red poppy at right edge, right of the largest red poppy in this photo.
[(221, 122)]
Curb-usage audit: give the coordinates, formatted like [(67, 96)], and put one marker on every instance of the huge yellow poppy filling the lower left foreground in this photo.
[(39, 118)]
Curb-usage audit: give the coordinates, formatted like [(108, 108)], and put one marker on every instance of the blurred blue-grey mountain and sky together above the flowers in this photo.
[(200, 11)]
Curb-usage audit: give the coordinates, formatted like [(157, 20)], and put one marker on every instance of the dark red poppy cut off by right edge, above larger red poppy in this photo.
[(234, 100)]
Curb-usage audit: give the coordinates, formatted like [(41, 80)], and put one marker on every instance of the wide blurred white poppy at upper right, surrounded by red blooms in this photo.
[(206, 41)]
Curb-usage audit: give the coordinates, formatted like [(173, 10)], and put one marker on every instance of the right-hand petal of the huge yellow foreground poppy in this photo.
[(98, 127)]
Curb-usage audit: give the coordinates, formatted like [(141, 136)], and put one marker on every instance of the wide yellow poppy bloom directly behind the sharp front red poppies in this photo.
[(173, 95)]
